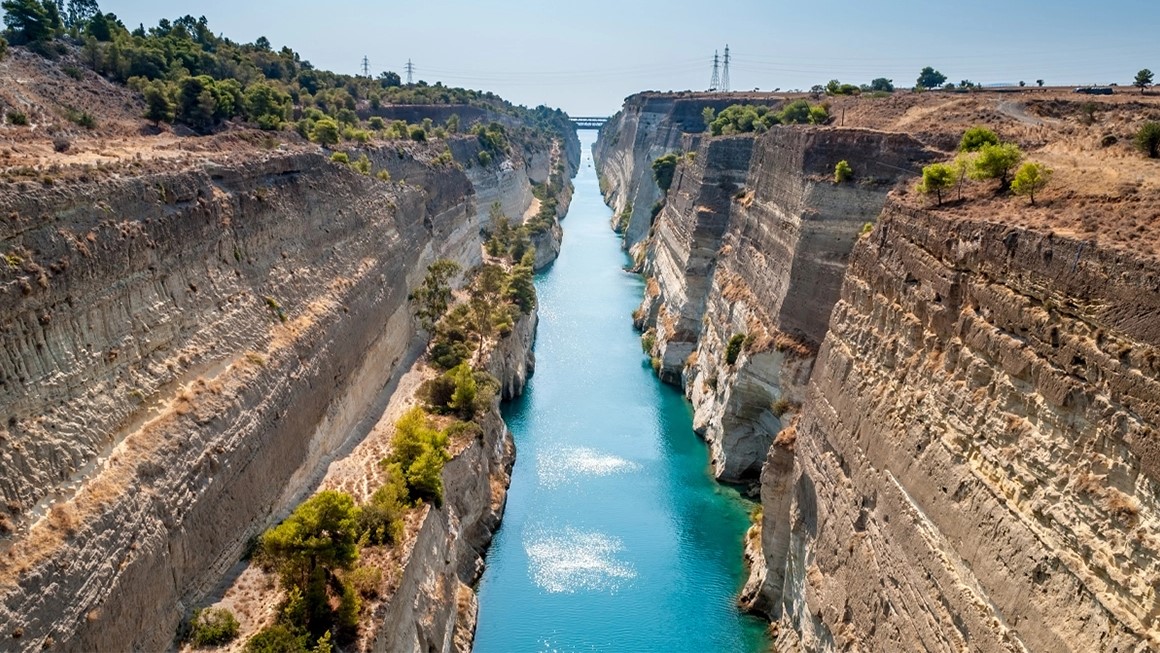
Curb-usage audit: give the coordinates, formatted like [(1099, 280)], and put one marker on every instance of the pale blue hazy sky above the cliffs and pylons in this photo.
[(585, 57)]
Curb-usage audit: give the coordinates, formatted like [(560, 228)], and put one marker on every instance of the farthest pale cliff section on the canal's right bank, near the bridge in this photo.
[(649, 127)]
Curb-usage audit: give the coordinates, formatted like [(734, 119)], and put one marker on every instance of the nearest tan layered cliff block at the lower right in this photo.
[(976, 465)]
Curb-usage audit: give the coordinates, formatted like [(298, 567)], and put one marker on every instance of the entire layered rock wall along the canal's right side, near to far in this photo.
[(955, 422)]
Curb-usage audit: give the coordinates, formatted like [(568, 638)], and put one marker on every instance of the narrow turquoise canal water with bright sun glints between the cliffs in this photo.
[(615, 536)]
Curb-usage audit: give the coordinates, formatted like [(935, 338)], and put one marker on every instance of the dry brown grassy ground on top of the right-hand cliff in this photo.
[(1103, 190)]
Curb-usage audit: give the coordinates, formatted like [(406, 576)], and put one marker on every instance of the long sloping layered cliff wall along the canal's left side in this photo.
[(183, 354)]
